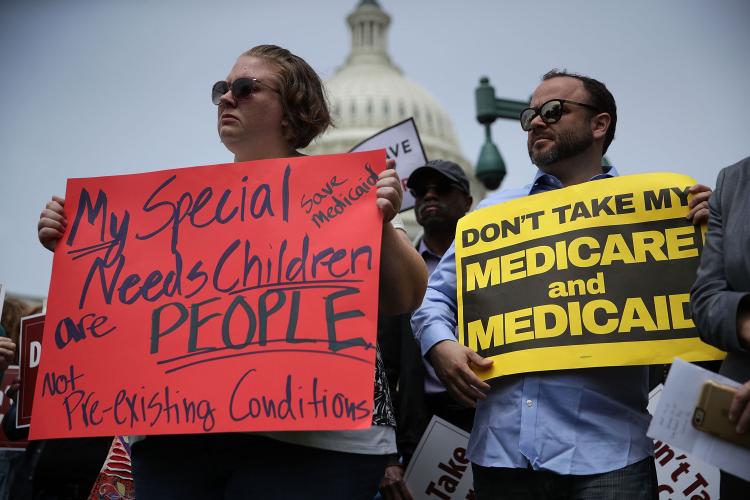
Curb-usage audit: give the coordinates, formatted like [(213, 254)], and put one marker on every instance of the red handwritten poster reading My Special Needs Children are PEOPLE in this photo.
[(236, 297)]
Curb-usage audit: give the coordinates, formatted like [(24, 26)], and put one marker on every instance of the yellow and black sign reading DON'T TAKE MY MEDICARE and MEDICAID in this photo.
[(596, 274)]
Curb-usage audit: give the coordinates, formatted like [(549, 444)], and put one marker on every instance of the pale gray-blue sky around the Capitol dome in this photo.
[(90, 88)]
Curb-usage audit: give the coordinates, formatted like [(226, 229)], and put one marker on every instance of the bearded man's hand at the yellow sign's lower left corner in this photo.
[(452, 363)]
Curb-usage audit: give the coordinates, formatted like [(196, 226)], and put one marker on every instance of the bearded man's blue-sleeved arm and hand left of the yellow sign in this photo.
[(434, 326)]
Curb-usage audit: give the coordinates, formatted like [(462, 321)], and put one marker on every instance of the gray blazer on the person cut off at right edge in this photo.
[(724, 275)]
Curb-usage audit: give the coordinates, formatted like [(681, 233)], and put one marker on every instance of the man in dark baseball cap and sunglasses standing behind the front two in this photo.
[(442, 196)]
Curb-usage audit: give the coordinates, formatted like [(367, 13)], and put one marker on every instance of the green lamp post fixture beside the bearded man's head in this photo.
[(490, 168)]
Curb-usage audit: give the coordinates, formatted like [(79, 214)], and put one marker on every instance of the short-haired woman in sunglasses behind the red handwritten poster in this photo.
[(272, 104)]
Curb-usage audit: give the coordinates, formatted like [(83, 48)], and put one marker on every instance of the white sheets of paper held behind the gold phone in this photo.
[(673, 416)]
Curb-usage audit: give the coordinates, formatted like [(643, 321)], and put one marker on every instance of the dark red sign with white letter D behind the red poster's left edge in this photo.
[(29, 354)]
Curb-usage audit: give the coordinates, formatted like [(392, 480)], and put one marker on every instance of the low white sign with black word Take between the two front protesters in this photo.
[(439, 467)]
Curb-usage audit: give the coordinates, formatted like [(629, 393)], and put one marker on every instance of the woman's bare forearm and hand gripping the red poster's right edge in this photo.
[(403, 273)]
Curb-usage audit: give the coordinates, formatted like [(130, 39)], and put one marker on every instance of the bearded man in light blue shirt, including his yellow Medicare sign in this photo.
[(549, 298)]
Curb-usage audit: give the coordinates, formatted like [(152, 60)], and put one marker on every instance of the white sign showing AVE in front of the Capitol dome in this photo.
[(401, 143)]
